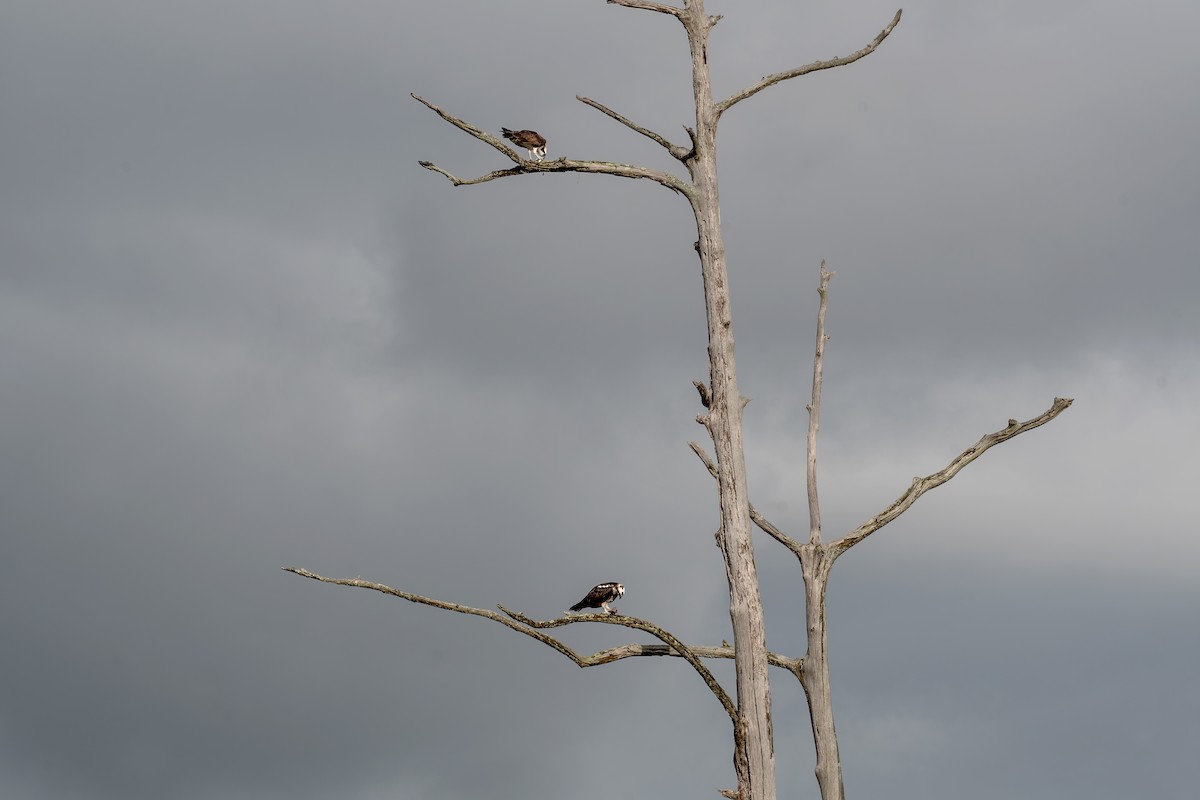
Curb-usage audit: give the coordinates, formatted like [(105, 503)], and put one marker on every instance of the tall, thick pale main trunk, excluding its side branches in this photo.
[(754, 747)]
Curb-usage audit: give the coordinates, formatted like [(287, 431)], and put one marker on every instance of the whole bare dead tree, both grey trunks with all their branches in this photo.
[(749, 712)]
